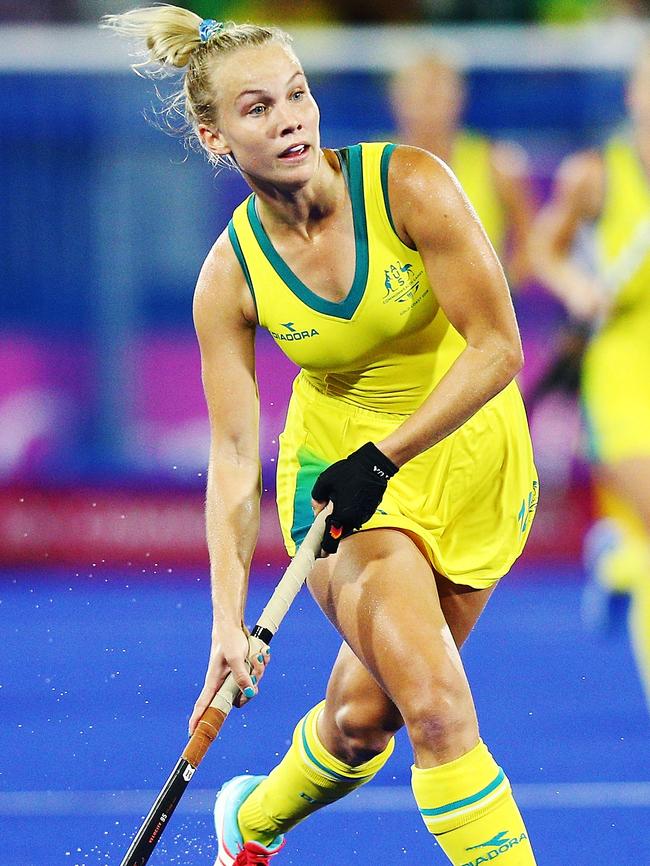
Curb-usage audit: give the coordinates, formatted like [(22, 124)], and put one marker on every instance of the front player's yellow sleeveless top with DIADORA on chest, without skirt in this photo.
[(387, 344)]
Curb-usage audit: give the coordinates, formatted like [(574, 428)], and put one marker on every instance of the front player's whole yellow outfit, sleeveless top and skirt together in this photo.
[(368, 361)]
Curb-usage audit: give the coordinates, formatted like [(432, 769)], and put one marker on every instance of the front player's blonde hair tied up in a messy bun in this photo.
[(172, 43)]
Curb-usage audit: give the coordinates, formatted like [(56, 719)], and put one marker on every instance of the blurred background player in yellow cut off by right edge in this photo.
[(607, 193)]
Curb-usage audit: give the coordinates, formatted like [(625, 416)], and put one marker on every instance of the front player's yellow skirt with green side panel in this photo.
[(468, 502)]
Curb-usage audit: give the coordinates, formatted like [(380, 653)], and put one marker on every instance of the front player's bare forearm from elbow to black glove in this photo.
[(477, 375)]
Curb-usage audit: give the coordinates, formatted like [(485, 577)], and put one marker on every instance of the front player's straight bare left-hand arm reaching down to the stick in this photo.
[(225, 330)]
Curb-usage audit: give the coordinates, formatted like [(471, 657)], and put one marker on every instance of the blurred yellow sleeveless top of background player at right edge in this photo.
[(623, 230)]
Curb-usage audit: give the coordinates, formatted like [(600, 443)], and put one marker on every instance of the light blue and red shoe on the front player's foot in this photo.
[(233, 851)]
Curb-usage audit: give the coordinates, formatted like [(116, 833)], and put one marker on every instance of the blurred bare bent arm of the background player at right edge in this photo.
[(576, 199)]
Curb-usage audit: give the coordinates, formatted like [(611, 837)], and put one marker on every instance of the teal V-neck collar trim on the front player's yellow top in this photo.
[(350, 159)]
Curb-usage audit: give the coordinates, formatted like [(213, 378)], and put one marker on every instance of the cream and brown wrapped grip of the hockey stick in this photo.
[(267, 625)]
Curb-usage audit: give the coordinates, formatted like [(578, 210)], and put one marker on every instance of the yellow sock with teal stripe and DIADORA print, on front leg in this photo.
[(468, 806)]
